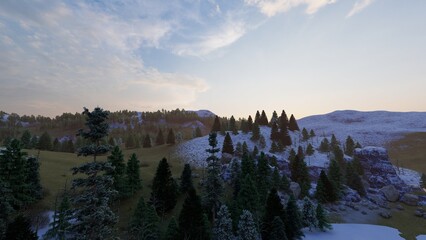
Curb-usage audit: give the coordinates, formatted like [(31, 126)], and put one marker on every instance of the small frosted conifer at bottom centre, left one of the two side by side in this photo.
[(223, 226)]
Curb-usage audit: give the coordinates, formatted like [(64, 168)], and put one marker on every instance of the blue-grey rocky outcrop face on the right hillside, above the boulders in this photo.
[(378, 169)]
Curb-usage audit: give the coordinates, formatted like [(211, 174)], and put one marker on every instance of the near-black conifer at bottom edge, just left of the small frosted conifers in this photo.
[(191, 224)]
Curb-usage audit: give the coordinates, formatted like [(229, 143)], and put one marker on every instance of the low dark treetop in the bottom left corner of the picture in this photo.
[(20, 229)]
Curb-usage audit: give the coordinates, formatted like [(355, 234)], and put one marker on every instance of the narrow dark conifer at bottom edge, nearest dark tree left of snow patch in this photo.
[(293, 221)]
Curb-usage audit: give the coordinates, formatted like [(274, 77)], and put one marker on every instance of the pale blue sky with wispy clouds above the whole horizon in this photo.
[(232, 57)]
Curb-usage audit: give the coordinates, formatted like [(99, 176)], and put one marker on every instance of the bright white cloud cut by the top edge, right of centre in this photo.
[(272, 7)]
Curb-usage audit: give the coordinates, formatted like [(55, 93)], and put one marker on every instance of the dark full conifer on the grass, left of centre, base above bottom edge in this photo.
[(164, 189)]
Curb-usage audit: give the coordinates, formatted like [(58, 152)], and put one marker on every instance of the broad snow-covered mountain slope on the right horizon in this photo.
[(369, 128)]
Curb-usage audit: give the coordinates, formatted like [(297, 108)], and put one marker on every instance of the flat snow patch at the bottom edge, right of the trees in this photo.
[(355, 232)]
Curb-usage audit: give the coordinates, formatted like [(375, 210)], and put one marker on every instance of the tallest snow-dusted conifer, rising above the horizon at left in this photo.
[(93, 217)]
